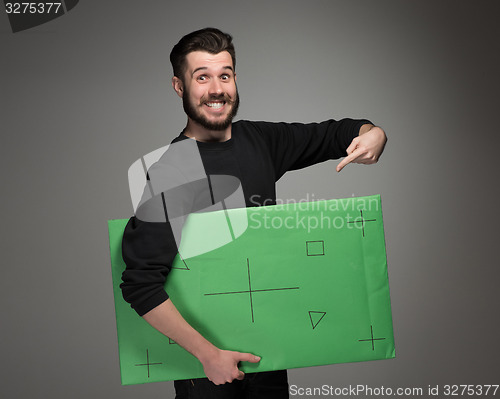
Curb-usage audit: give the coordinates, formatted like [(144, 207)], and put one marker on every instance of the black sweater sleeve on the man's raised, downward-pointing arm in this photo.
[(298, 145)]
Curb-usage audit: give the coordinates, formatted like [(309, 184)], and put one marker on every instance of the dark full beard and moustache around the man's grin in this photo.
[(192, 111)]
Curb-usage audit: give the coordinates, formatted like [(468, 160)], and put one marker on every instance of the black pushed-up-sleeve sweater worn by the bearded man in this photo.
[(258, 154)]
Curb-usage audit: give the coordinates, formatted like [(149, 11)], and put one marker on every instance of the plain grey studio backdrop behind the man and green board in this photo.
[(87, 94)]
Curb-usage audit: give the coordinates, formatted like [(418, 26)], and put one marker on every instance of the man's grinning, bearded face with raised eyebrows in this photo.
[(210, 96)]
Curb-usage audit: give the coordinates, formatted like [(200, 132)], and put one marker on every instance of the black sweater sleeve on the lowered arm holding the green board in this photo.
[(149, 243)]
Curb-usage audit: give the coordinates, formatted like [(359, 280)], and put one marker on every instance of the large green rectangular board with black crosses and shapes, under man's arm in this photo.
[(304, 285)]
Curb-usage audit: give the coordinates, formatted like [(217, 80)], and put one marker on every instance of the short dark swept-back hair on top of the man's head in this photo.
[(211, 40)]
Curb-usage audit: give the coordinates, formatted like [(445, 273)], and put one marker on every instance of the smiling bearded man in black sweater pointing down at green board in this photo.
[(258, 154)]
